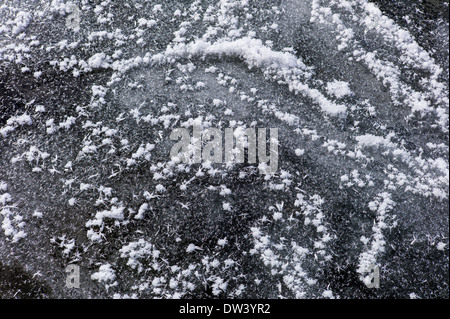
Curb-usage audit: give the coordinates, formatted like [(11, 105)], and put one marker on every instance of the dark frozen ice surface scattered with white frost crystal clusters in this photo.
[(359, 93)]
